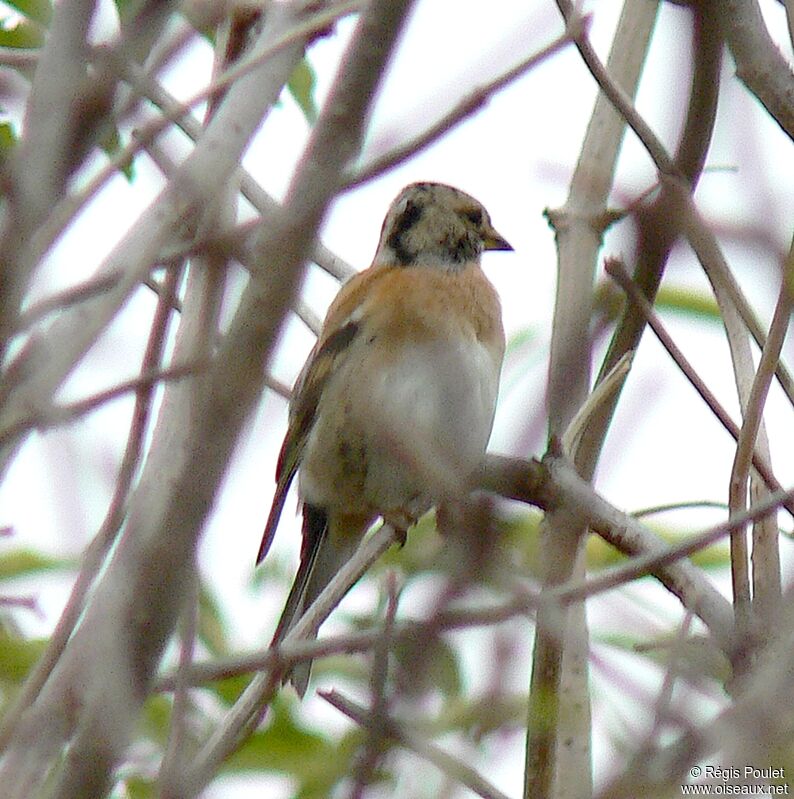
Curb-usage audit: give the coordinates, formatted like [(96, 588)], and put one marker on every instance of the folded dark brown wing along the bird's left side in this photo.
[(303, 407)]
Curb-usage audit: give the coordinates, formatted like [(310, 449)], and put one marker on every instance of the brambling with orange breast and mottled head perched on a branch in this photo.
[(393, 410)]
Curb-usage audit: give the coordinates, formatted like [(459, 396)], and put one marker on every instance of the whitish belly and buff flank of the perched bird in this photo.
[(413, 429)]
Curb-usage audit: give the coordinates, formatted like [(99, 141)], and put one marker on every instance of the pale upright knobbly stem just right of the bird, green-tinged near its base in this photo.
[(558, 748)]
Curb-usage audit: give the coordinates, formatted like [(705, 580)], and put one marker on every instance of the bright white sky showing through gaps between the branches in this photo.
[(516, 156)]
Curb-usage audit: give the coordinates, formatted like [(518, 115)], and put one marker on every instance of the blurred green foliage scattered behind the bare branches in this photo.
[(429, 674)]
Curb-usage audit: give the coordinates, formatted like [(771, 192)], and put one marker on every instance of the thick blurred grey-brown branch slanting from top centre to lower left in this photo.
[(220, 409)]
